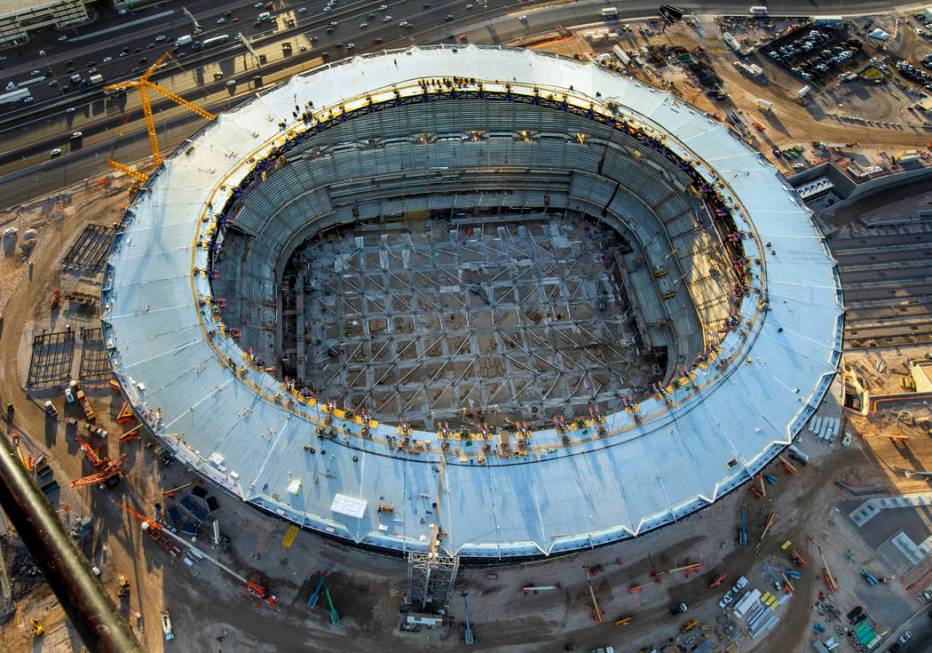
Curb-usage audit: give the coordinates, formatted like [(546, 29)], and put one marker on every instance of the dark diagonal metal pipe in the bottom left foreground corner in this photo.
[(81, 595)]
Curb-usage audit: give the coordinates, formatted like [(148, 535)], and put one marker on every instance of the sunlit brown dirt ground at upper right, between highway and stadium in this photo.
[(897, 126)]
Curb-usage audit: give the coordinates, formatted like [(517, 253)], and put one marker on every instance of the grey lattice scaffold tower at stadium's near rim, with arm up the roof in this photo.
[(431, 575)]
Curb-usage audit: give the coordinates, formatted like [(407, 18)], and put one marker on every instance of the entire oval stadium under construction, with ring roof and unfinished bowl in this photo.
[(508, 303)]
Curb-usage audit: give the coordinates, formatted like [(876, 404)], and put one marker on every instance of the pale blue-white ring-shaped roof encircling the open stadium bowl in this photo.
[(678, 457)]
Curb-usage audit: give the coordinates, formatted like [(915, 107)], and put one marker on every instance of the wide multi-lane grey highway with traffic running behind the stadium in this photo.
[(115, 129)]
